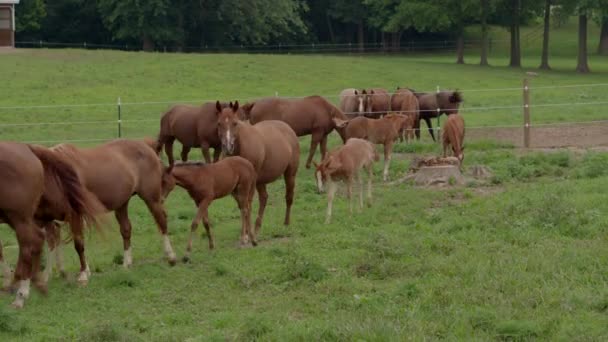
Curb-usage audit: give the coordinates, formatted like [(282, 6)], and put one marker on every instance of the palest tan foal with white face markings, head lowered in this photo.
[(345, 164)]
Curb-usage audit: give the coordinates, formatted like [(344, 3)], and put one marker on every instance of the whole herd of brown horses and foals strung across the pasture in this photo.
[(254, 145)]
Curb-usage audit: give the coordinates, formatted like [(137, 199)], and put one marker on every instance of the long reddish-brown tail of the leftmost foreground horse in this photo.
[(82, 206)]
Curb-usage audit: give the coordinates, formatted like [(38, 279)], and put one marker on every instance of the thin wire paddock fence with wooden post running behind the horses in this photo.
[(523, 115)]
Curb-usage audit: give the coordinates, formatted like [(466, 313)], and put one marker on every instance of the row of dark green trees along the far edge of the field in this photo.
[(204, 23)]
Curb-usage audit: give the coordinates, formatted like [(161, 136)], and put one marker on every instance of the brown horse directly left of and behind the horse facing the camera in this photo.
[(192, 126)]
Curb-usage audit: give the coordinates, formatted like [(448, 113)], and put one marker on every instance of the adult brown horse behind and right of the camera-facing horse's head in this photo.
[(310, 115)]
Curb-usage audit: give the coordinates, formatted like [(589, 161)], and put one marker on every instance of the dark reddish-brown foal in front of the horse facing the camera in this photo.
[(208, 182)]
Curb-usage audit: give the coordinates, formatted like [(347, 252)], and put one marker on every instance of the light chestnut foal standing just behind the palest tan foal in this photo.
[(377, 131)]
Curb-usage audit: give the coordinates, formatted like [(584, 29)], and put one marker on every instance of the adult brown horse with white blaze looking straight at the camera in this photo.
[(271, 146)]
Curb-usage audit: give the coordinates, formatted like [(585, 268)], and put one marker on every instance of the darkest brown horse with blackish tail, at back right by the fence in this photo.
[(433, 105)]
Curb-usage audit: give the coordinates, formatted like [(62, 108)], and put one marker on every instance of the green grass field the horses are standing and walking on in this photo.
[(522, 257)]
